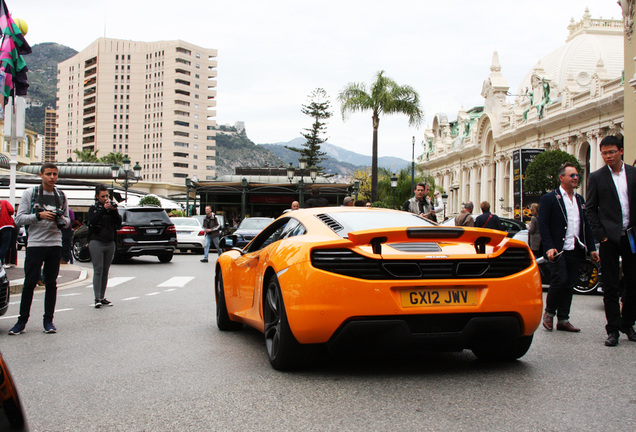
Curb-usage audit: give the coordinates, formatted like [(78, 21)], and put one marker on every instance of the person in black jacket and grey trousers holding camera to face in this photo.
[(103, 222)]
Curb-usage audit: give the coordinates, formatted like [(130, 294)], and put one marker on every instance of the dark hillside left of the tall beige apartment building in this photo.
[(42, 76)]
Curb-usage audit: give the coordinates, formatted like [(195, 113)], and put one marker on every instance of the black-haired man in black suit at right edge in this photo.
[(611, 210)]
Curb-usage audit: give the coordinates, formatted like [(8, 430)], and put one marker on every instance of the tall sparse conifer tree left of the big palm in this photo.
[(318, 110)]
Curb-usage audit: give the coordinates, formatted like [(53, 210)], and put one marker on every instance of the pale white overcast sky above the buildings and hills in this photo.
[(272, 54)]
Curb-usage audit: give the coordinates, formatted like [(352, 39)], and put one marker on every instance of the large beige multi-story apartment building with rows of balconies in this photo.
[(153, 101)]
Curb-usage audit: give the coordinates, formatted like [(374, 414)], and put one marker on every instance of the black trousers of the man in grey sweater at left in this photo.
[(35, 257)]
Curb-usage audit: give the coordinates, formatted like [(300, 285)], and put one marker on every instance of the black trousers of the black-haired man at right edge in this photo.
[(618, 319)]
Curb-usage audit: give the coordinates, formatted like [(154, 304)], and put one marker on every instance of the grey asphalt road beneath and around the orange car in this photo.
[(156, 362)]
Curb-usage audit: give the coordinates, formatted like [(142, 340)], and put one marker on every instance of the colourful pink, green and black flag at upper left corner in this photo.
[(12, 48)]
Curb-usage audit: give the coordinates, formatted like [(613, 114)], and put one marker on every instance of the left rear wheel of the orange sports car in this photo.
[(283, 350)]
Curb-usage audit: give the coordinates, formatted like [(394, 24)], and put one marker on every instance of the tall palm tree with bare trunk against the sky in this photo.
[(385, 97)]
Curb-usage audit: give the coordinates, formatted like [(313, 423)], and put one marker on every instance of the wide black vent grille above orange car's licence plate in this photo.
[(349, 263)]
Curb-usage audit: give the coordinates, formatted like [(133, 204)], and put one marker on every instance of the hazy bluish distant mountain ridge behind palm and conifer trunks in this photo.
[(339, 157)]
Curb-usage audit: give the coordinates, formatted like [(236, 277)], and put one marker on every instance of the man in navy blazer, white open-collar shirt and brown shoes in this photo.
[(566, 236)]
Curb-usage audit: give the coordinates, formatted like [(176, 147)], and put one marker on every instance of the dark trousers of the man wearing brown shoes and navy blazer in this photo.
[(564, 270)]
